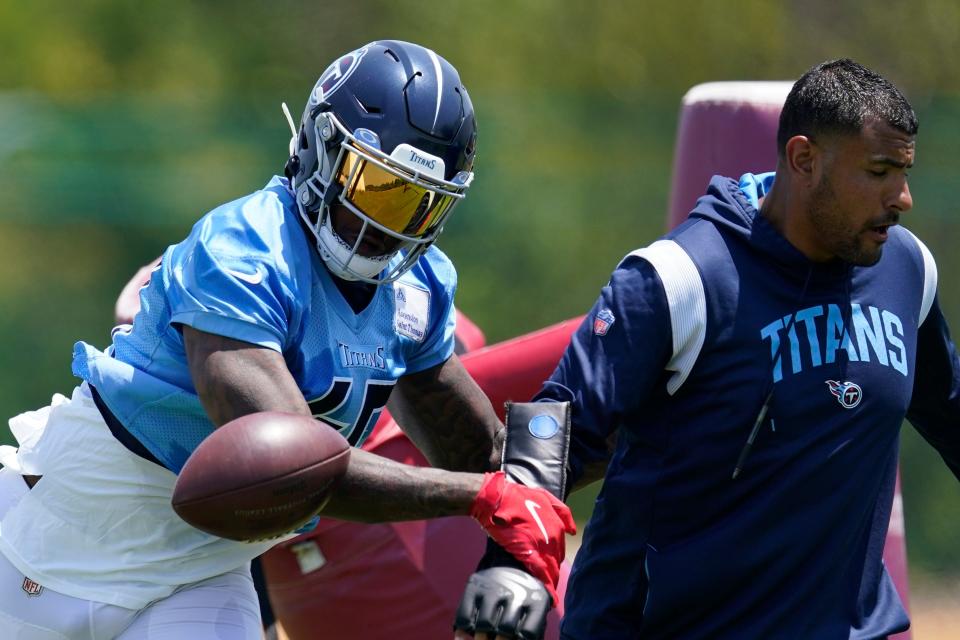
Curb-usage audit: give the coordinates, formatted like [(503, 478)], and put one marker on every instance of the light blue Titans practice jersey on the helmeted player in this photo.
[(250, 272)]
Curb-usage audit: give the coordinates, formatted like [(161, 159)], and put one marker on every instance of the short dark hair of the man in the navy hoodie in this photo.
[(836, 97)]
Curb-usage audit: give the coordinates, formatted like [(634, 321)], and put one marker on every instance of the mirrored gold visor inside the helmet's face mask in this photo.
[(404, 207)]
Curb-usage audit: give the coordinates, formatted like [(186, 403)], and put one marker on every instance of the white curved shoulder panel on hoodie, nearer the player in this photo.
[(683, 287)]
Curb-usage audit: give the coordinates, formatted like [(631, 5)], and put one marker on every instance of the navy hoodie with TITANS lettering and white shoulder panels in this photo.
[(675, 361)]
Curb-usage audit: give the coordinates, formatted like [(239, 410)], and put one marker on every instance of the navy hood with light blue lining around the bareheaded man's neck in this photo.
[(734, 207)]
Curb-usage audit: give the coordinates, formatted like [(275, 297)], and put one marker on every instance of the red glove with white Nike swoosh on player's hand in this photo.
[(529, 523)]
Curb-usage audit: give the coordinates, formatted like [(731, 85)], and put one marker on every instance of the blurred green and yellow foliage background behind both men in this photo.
[(122, 122)]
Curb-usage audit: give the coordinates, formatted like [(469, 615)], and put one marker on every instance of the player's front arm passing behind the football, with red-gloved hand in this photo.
[(235, 378)]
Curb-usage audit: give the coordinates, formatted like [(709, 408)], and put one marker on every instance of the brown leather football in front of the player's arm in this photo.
[(260, 476)]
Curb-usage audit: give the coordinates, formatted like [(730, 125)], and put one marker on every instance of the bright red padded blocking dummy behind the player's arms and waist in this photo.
[(320, 582)]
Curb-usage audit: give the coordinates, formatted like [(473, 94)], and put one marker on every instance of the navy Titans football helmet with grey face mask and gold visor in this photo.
[(384, 152)]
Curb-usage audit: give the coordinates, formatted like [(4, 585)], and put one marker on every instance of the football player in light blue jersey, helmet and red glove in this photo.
[(321, 293)]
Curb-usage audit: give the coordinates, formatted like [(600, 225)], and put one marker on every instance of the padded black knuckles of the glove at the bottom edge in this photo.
[(503, 600)]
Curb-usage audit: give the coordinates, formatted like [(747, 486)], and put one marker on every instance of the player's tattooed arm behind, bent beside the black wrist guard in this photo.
[(448, 417)]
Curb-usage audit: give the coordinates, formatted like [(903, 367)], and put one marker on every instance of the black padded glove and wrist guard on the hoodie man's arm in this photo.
[(501, 597)]
